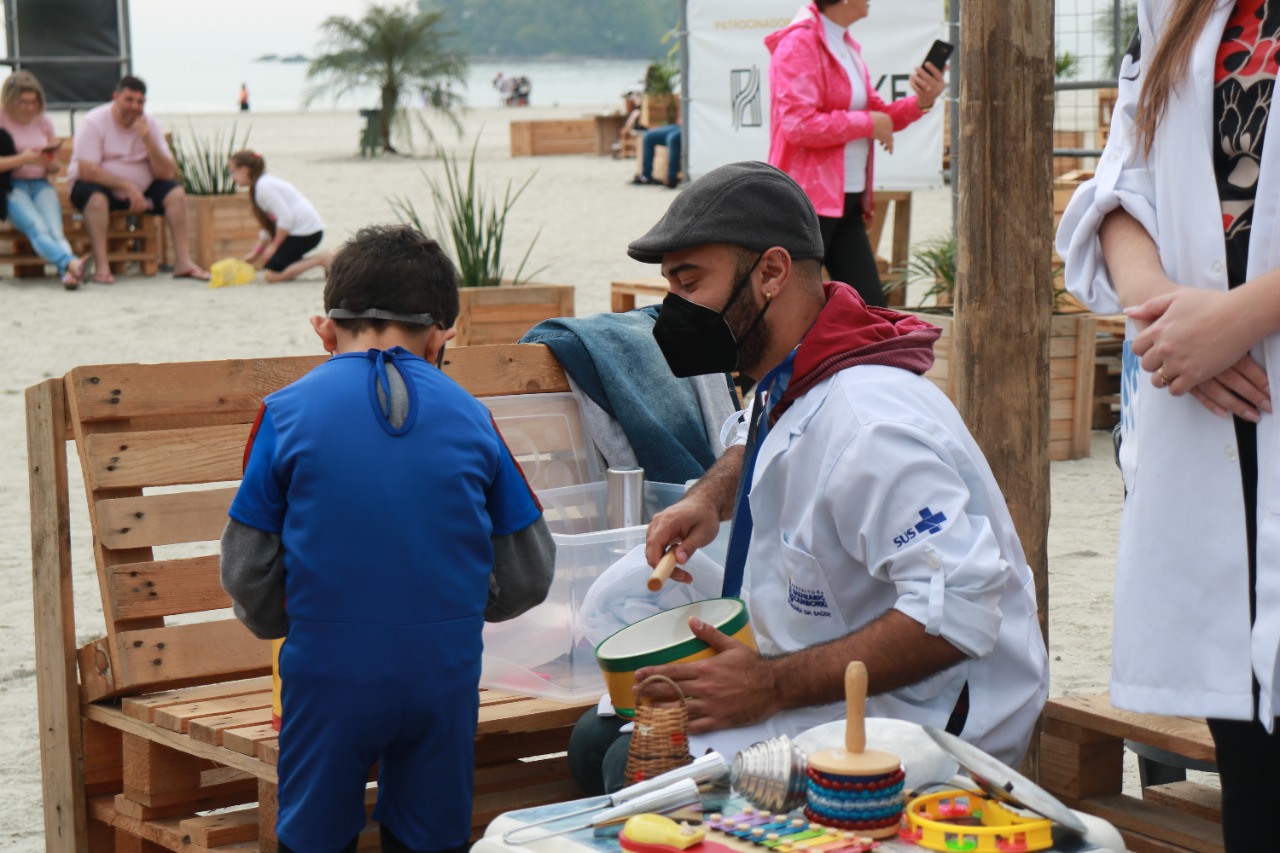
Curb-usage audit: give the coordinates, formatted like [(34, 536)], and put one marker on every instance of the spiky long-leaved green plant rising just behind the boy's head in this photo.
[(474, 221)]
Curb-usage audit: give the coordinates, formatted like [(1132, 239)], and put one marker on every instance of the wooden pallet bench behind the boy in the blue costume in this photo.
[(168, 717)]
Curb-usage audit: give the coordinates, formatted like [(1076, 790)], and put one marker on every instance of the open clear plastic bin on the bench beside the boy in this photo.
[(545, 653)]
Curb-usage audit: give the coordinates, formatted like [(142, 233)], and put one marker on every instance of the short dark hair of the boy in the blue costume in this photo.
[(394, 268)]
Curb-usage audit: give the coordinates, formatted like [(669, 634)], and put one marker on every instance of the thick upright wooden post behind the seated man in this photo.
[(1004, 298)]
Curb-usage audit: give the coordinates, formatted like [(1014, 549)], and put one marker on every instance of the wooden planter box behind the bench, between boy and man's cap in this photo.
[(504, 314)]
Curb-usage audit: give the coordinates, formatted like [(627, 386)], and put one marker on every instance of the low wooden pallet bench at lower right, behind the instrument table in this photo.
[(1082, 764)]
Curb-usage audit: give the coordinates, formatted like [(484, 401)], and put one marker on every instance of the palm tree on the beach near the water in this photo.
[(395, 49)]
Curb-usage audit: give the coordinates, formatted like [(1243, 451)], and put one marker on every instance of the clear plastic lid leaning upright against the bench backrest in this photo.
[(547, 437)]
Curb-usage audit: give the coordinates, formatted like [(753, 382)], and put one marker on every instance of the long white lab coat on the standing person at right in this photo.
[(1182, 638)]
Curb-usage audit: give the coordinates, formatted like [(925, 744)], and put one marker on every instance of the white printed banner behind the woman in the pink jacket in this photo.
[(728, 116)]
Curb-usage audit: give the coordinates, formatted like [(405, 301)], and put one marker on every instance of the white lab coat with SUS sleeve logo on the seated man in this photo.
[(870, 495)]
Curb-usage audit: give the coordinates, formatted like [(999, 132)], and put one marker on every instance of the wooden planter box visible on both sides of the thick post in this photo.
[(1072, 354)]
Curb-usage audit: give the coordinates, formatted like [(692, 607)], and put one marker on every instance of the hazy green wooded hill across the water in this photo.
[(598, 29)]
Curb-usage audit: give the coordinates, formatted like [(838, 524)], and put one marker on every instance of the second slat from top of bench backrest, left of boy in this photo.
[(164, 458)]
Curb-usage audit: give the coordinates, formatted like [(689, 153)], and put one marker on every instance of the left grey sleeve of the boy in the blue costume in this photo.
[(253, 569)]
